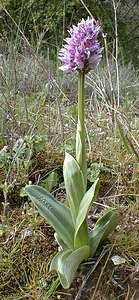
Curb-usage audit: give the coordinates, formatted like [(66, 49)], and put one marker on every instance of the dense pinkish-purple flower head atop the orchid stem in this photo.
[(82, 50)]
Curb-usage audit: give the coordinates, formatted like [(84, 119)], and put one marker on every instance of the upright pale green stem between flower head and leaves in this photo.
[(80, 135)]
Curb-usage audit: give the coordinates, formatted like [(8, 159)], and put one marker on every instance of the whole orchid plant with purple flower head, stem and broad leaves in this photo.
[(81, 53)]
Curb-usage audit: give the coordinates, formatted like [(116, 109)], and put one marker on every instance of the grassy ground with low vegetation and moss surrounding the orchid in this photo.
[(38, 112)]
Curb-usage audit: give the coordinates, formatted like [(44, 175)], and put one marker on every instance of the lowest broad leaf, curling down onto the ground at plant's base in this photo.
[(67, 262)]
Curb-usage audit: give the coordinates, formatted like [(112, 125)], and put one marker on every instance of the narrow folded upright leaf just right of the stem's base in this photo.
[(85, 204)]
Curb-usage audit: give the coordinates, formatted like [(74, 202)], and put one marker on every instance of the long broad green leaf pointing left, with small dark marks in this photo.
[(56, 213)]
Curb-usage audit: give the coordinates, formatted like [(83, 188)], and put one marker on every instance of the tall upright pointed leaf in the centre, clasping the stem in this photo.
[(74, 183)]
